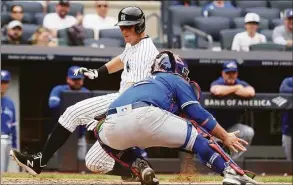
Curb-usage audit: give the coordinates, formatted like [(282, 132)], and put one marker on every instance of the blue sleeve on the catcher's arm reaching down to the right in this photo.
[(189, 104)]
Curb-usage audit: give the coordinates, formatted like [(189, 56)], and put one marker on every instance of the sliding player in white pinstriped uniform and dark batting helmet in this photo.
[(136, 60)]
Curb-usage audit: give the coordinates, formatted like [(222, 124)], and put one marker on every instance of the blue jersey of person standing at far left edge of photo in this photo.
[(8, 121)]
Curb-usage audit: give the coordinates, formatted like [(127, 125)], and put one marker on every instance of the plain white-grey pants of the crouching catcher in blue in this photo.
[(146, 127)]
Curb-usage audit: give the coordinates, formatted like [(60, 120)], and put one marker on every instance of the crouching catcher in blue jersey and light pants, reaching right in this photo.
[(146, 108)]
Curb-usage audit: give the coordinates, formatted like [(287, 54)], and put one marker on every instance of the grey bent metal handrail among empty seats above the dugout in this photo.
[(197, 32)]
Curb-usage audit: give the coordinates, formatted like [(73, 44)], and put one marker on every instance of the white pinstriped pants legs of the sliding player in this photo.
[(81, 113)]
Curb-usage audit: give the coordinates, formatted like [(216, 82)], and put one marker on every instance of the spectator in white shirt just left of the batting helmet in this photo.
[(100, 20)]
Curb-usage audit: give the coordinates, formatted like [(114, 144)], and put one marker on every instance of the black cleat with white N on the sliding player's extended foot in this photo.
[(31, 163)]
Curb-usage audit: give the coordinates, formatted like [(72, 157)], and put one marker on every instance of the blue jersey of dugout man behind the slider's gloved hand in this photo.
[(54, 99)]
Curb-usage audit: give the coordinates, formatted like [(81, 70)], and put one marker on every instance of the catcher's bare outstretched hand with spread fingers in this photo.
[(234, 143)]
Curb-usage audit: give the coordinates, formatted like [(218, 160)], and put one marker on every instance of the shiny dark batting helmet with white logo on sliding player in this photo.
[(132, 16)]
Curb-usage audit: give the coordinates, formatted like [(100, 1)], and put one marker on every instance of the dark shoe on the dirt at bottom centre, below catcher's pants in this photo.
[(146, 172)]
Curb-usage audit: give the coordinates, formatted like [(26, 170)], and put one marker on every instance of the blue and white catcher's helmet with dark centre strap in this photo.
[(166, 61)]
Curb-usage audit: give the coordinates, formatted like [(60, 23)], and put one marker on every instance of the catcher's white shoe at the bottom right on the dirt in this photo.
[(232, 178)]
